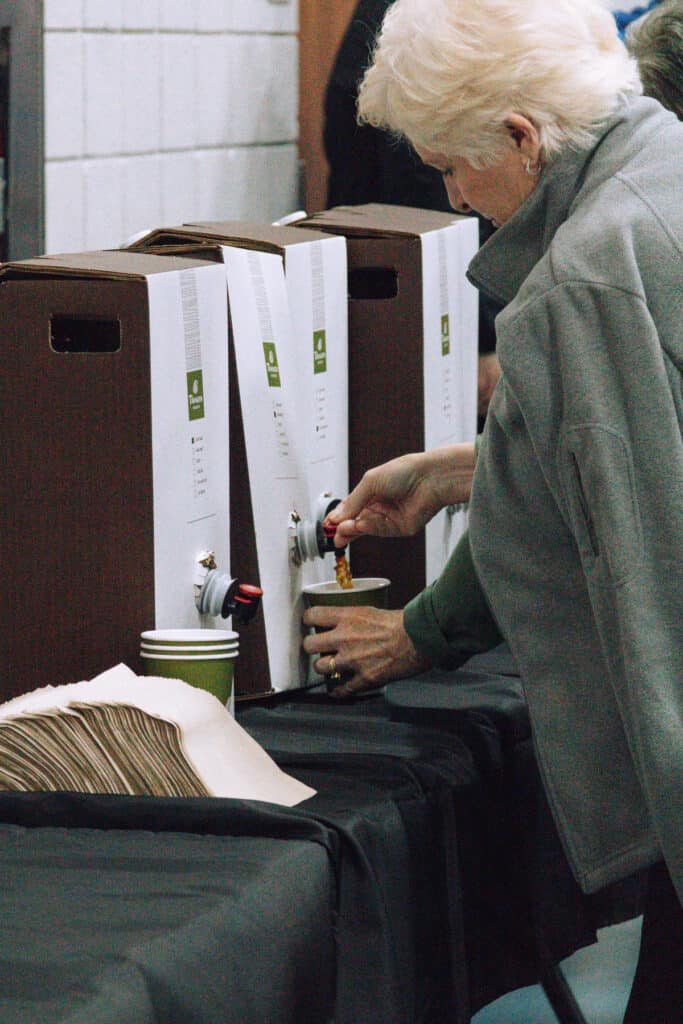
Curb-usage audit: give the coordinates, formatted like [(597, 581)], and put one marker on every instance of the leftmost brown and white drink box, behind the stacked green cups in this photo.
[(116, 445)]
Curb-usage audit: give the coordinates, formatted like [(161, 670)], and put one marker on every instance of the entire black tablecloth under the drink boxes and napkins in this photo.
[(423, 880)]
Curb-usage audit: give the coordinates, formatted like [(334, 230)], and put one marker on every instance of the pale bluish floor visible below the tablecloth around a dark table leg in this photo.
[(601, 977)]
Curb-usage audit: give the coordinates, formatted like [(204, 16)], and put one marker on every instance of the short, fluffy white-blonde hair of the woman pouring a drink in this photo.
[(447, 74)]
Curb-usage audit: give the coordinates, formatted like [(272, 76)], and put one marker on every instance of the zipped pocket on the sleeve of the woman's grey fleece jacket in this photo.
[(596, 470)]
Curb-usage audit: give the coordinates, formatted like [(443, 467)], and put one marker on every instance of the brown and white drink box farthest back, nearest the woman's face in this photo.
[(413, 361)]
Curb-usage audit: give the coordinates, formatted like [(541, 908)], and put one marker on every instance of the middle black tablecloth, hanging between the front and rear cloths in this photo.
[(388, 790)]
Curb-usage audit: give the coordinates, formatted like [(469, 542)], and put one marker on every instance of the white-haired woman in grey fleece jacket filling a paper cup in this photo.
[(533, 114)]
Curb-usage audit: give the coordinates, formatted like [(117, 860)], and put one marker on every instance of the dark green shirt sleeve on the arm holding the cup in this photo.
[(451, 621)]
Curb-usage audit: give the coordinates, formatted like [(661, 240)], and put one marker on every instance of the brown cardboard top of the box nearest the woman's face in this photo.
[(379, 220)]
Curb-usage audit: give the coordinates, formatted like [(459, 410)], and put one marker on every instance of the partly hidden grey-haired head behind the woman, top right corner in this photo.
[(657, 42)]
